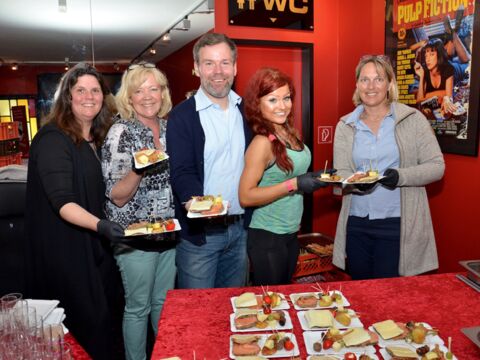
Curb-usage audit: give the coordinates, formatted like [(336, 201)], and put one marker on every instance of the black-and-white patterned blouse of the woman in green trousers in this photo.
[(154, 198)]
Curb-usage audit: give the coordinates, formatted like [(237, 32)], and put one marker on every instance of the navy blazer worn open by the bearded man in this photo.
[(185, 147)]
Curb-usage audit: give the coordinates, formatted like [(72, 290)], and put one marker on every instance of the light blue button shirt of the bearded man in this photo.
[(224, 147)]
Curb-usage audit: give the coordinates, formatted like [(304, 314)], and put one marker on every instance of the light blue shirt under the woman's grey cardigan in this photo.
[(379, 152)]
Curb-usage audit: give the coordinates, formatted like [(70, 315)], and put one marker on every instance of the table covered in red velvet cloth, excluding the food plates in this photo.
[(198, 320)]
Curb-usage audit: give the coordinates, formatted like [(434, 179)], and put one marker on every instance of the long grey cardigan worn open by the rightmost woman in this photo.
[(421, 163)]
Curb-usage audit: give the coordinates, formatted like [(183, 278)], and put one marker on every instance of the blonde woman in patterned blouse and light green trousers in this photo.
[(147, 265)]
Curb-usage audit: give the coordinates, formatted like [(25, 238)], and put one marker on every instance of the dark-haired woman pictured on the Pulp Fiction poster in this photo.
[(435, 75)]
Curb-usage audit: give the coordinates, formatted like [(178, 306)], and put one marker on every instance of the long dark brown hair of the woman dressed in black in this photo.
[(62, 116)]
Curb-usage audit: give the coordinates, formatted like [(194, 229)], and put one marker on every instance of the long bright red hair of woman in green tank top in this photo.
[(263, 82)]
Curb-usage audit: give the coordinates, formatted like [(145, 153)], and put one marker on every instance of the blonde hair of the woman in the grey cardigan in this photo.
[(382, 63)]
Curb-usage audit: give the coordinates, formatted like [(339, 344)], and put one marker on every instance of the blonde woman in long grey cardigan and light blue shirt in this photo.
[(385, 229)]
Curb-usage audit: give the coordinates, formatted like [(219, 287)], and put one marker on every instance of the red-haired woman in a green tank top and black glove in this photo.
[(274, 177)]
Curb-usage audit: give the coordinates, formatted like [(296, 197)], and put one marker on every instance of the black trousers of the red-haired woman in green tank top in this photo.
[(273, 257)]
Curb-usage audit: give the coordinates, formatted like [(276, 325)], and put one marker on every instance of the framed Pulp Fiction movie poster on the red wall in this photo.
[(436, 59)]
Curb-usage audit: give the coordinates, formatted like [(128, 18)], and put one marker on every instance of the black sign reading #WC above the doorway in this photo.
[(285, 14)]
